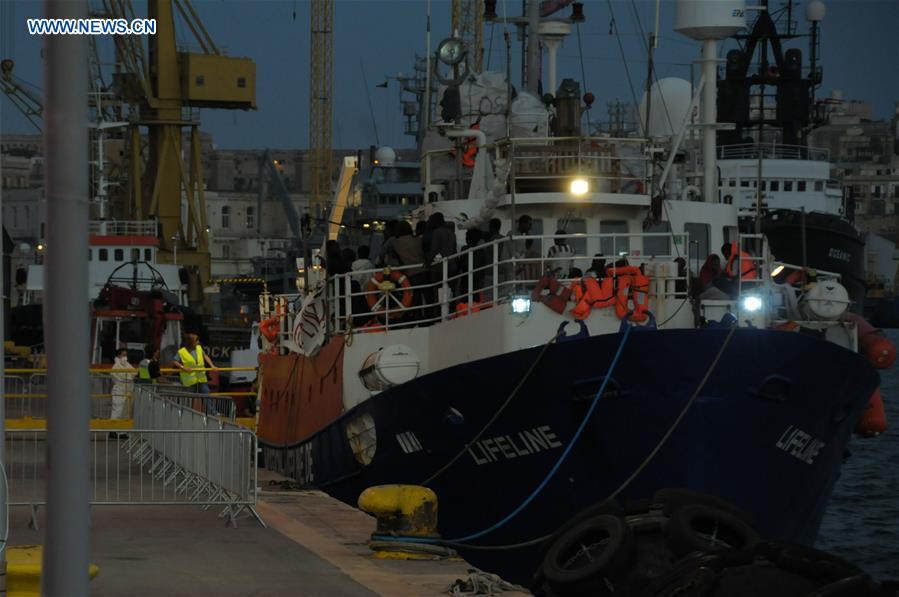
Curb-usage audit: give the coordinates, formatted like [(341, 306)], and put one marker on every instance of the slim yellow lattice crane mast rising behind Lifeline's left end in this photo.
[(321, 40)]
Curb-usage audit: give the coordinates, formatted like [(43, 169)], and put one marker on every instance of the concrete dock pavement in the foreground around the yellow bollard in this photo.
[(314, 545)]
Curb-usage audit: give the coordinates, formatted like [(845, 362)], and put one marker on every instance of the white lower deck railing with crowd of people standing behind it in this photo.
[(488, 274)]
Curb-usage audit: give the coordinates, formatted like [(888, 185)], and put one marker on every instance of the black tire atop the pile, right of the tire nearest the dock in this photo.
[(684, 537)]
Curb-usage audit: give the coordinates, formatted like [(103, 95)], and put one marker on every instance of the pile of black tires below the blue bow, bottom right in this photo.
[(687, 544)]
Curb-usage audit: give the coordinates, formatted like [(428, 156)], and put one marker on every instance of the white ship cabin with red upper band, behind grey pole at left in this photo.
[(114, 248)]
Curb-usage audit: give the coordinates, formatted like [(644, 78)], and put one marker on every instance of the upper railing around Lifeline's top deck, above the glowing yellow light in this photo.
[(548, 164)]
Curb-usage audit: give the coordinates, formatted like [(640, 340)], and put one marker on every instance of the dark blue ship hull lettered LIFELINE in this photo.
[(768, 432)]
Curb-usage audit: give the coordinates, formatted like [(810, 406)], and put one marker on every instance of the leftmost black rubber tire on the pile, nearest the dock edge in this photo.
[(613, 558)]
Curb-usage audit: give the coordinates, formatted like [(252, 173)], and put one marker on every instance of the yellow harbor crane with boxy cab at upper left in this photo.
[(163, 85)]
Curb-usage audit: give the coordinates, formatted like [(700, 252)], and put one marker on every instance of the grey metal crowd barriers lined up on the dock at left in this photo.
[(174, 456)]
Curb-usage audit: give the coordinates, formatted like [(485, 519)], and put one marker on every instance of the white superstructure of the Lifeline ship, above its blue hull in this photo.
[(480, 301)]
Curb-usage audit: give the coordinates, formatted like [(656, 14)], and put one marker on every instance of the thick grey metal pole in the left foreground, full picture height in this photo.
[(67, 547)]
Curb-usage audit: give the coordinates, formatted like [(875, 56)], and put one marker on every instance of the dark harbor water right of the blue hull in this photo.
[(862, 520)]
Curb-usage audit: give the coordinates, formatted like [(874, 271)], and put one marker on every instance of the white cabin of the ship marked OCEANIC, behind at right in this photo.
[(793, 177)]
